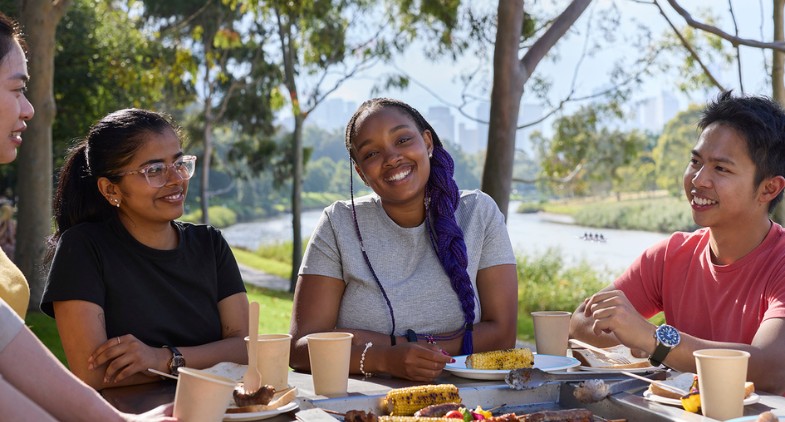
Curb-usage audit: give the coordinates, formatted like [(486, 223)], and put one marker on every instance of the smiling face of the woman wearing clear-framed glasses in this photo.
[(140, 203)]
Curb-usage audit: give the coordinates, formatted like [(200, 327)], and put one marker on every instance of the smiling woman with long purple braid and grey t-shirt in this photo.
[(417, 271)]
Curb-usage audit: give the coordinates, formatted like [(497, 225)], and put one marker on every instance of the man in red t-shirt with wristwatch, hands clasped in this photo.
[(722, 286)]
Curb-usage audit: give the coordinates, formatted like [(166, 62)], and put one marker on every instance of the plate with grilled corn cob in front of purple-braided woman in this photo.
[(473, 366)]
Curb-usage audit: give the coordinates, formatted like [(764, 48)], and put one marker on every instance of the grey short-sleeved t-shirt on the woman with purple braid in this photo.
[(404, 260)]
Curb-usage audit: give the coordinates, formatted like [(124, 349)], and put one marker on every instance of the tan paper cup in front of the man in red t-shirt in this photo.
[(721, 377)]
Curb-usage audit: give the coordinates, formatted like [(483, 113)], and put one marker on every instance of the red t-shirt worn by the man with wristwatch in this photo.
[(708, 301)]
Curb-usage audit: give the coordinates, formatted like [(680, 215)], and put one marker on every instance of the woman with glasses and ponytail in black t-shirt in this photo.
[(130, 287)]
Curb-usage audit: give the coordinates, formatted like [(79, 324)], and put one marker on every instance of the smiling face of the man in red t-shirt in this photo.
[(719, 181)]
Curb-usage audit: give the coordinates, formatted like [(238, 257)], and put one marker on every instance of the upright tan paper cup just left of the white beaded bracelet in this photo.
[(330, 354)]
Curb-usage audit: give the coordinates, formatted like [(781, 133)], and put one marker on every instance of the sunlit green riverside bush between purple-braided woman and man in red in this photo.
[(547, 282)]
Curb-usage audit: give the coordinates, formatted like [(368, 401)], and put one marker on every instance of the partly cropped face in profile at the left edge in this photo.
[(15, 109)]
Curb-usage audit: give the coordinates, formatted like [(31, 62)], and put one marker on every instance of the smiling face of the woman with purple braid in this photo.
[(391, 156)]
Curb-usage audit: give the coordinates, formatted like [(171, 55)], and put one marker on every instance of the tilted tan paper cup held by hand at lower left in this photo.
[(201, 396)]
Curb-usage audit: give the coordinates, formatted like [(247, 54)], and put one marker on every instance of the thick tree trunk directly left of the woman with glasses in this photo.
[(40, 19)]
